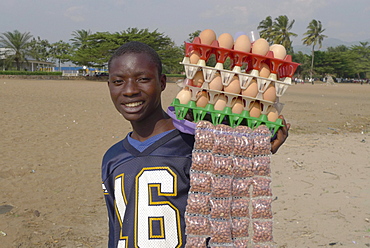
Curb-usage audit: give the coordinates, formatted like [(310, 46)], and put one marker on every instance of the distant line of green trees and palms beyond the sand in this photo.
[(94, 49)]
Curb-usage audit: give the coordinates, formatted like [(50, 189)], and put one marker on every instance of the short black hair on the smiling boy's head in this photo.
[(137, 47)]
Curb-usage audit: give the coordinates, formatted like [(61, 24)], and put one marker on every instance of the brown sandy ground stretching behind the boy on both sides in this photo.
[(54, 134)]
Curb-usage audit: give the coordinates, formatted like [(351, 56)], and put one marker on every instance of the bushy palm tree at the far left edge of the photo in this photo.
[(18, 43)]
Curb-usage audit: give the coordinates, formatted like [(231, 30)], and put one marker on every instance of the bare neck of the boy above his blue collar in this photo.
[(145, 129)]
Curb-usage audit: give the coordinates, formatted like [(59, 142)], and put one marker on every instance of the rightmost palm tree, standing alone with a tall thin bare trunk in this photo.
[(314, 37)]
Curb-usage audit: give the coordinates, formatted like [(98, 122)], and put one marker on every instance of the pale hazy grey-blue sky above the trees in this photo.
[(56, 20)]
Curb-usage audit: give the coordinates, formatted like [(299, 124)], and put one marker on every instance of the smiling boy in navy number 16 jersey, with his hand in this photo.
[(146, 175)]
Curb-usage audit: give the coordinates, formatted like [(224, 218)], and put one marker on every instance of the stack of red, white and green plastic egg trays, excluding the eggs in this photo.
[(281, 74)]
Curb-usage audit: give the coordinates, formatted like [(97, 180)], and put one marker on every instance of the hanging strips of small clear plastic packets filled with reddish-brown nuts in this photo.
[(230, 196)]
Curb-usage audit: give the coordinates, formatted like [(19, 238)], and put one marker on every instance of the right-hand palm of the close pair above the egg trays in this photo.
[(281, 32)]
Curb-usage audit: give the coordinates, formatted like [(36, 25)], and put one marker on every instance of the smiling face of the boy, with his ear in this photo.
[(135, 86)]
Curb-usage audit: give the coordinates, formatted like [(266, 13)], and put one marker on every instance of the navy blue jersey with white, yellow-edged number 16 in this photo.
[(146, 192)]
